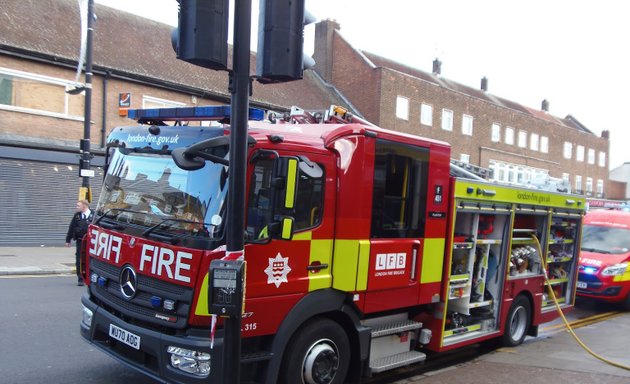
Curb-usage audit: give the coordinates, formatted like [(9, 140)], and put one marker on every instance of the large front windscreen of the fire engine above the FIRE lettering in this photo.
[(148, 190)]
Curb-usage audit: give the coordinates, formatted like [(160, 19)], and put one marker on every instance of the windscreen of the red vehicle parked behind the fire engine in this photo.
[(602, 239)]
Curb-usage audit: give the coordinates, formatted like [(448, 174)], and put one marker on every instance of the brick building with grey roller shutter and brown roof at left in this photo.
[(40, 124)]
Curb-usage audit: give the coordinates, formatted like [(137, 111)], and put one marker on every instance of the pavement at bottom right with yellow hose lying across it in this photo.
[(556, 359)]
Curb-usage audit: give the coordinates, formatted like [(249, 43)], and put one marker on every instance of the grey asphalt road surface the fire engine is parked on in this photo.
[(40, 341)]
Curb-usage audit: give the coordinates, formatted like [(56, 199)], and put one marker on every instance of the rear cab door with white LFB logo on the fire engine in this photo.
[(397, 225)]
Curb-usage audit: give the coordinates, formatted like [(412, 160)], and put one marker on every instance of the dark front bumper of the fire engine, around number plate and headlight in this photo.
[(152, 358)]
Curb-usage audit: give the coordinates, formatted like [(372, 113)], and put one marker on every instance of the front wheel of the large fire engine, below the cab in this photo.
[(318, 354)]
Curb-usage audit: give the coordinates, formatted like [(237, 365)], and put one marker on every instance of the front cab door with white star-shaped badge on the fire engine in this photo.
[(303, 263)]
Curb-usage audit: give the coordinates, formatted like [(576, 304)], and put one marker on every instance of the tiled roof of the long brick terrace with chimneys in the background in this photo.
[(568, 121)]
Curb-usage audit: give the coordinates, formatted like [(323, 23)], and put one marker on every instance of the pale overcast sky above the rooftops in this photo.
[(573, 53)]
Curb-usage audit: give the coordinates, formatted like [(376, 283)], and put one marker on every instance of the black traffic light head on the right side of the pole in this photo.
[(281, 40)]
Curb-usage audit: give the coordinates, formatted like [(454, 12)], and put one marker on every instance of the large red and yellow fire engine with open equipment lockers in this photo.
[(365, 249)]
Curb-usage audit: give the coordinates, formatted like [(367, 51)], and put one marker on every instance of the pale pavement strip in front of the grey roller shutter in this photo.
[(37, 260)]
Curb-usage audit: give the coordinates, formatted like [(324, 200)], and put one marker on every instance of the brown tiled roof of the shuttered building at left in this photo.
[(128, 44)]
